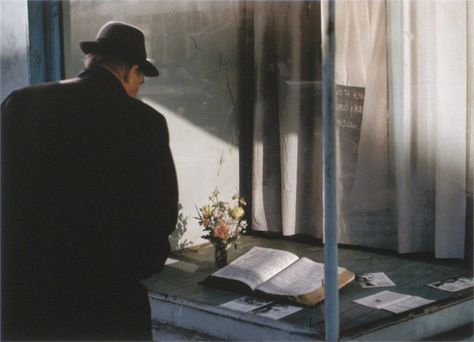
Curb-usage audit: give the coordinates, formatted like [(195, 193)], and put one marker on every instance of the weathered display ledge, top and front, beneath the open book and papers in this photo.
[(183, 310)]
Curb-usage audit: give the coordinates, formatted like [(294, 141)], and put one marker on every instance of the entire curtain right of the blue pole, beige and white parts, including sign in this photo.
[(403, 182)]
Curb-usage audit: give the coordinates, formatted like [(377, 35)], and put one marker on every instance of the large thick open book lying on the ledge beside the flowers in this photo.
[(276, 274)]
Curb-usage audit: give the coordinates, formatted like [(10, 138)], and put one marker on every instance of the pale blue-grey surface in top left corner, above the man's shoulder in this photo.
[(13, 46)]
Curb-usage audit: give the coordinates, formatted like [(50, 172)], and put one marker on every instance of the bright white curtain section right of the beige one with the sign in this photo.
[(431, 124)]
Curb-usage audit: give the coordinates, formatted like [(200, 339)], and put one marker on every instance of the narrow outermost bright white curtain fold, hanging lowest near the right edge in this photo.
[(451, 128)]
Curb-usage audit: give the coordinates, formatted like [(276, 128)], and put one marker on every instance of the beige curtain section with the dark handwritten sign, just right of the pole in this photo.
[(361, 119)]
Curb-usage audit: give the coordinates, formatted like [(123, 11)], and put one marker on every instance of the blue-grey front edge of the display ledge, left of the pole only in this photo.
[(223, 323)]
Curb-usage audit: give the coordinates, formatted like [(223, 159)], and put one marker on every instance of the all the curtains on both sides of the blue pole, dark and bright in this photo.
[(403, 106)]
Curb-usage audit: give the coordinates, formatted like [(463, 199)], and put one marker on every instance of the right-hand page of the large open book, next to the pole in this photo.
[(301, 277)]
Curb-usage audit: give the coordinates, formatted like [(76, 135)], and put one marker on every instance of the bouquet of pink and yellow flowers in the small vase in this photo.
[(222, 221)]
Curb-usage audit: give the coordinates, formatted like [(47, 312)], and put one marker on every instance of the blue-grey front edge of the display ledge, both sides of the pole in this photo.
[(176, 318)]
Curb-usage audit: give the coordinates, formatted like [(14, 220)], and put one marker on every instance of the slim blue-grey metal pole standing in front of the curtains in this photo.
[(330, 209)]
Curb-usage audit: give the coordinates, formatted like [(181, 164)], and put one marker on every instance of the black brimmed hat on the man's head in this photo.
[(123, 41)]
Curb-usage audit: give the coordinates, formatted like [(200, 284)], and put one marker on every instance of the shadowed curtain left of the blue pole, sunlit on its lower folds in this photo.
[(287, 145)]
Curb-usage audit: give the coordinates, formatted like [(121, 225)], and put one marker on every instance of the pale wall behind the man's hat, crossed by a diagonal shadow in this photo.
[(195, 46)]
